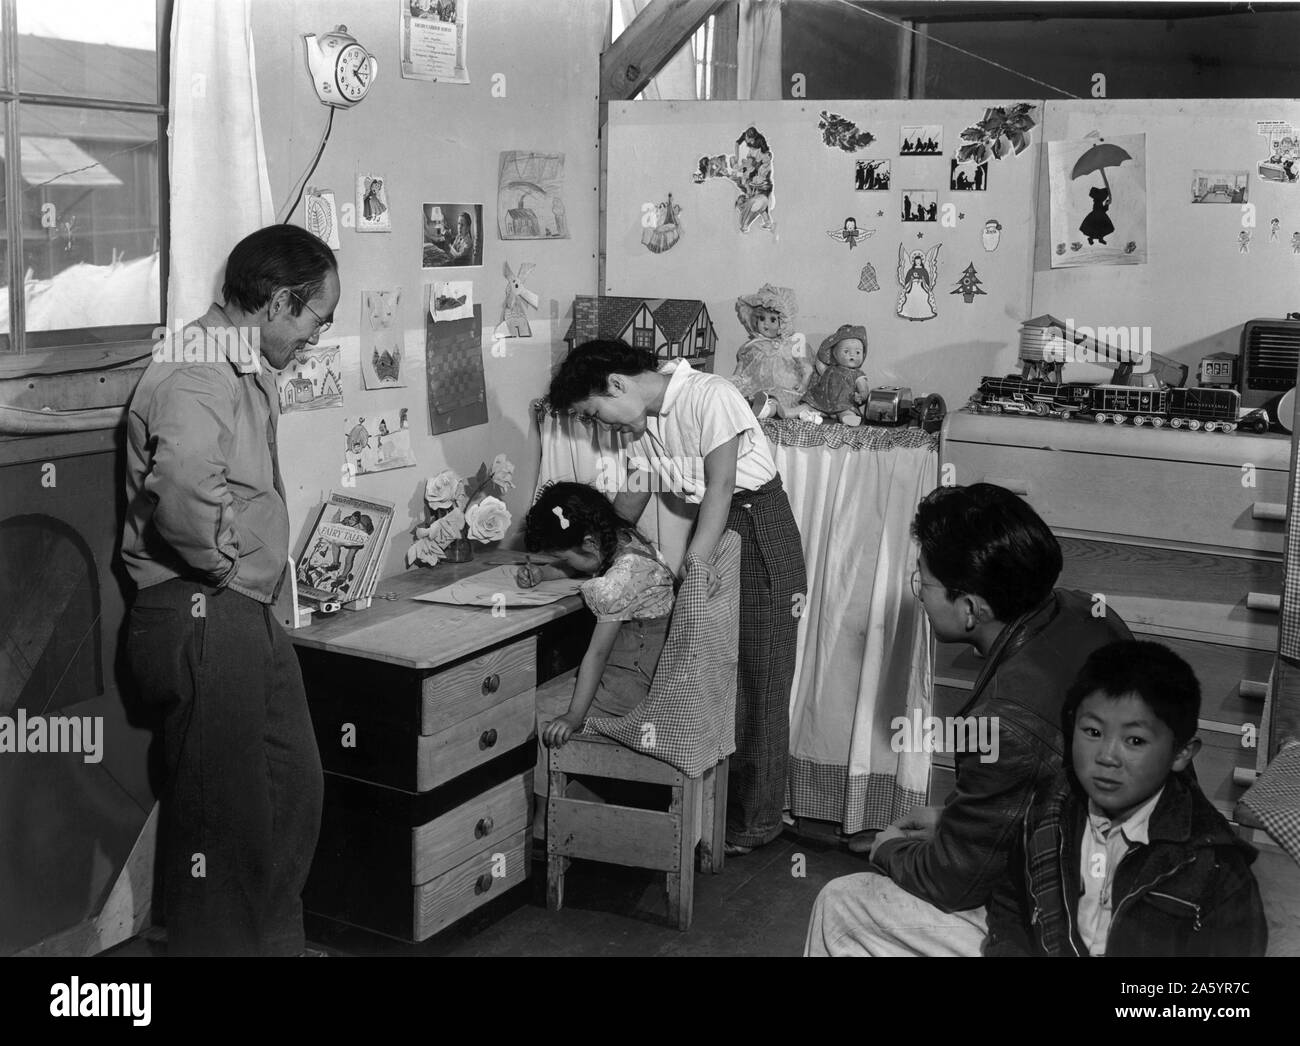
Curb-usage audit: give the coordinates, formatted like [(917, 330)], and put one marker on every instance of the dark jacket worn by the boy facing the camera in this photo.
[(1188, 892)]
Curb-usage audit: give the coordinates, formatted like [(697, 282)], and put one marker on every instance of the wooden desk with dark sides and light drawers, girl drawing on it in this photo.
[(426, 721)]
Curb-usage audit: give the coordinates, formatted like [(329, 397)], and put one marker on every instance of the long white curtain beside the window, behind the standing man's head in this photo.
[(220, 188)]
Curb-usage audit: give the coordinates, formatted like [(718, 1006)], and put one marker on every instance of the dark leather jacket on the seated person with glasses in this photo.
[(1030, 667)]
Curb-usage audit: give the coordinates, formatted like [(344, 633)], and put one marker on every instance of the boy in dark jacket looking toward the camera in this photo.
[(1124, 854)]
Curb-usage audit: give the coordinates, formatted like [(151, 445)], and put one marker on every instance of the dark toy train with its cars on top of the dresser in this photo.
[(1210, 410)]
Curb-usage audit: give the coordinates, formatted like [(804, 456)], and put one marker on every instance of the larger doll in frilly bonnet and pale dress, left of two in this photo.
[(772, 371)]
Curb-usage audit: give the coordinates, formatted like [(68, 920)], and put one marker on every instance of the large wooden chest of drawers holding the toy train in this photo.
[(1180, 532)]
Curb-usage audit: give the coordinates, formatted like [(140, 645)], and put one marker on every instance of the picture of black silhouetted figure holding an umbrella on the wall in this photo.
[(1099, 201)]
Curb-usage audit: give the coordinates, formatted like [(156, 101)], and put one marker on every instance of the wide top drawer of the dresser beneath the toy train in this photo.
[(1134, 498)]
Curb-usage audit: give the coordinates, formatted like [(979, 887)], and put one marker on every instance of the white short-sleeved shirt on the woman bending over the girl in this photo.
[(700, 414)]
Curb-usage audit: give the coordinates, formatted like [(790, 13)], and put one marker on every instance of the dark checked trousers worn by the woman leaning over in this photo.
[(773, 588)]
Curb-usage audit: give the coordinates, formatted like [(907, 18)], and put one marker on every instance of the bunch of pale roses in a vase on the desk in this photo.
[(462, 513)]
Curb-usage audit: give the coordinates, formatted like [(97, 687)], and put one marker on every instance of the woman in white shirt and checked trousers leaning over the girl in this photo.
[(699, 437)]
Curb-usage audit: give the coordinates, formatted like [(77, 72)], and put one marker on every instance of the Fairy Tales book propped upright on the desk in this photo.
[(344, 553)]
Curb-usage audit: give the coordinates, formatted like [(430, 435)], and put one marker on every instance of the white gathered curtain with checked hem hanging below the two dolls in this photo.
[(864, 639)]
